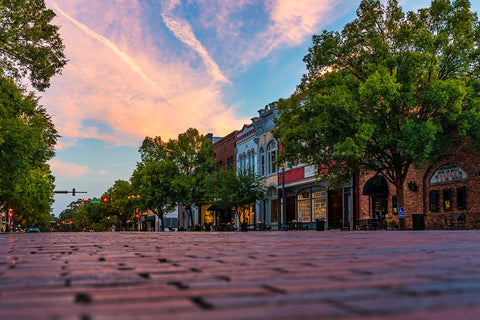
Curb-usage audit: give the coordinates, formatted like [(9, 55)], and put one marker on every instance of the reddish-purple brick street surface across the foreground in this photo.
[(251, 275)]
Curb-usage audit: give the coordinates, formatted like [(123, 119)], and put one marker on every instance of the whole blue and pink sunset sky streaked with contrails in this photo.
[(142, 68)]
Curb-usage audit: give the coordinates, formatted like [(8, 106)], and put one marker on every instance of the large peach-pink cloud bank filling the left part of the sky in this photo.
[(118, 87)]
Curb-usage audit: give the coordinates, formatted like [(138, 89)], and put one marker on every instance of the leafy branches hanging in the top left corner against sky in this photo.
[(29, 44)]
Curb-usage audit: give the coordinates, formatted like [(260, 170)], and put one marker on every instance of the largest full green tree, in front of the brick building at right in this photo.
[(389, 91)]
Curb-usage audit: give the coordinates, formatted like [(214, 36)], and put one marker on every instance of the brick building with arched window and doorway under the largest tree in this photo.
[(434, 194)]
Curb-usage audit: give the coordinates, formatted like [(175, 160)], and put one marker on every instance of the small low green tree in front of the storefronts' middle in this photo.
[(236, 190)]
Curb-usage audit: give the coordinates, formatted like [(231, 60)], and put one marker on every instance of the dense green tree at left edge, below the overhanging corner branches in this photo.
[(27, 140)]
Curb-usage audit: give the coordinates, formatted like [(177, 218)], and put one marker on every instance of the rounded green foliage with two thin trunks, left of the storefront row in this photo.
[(173, 172)]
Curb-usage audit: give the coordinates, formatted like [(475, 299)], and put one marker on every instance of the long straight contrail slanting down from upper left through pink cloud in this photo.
[(122, 55)]
